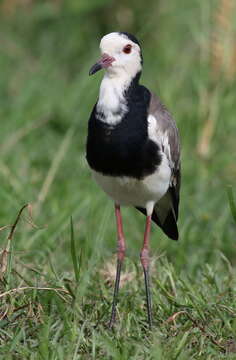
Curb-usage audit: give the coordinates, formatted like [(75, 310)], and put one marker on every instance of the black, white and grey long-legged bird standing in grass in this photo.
[(133, 150)]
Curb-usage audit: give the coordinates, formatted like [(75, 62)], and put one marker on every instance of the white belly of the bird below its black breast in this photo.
[(130, 191)]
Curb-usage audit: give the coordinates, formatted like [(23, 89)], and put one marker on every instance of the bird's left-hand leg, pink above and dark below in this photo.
[(120, 258)]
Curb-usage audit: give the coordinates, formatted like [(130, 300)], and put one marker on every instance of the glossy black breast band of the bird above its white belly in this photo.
[(124, 149)]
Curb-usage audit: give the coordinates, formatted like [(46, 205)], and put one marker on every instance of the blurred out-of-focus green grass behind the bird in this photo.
[(46, 95)]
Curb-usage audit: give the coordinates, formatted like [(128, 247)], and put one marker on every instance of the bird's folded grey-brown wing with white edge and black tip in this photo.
[(166, 211)]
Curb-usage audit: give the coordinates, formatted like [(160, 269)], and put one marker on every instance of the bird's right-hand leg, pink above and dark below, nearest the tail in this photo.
[(144, 256)]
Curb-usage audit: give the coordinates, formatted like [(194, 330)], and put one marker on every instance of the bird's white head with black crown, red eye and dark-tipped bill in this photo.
[(120, 54)]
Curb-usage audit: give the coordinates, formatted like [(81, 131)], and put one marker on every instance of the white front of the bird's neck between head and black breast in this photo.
[(114, 95)]
